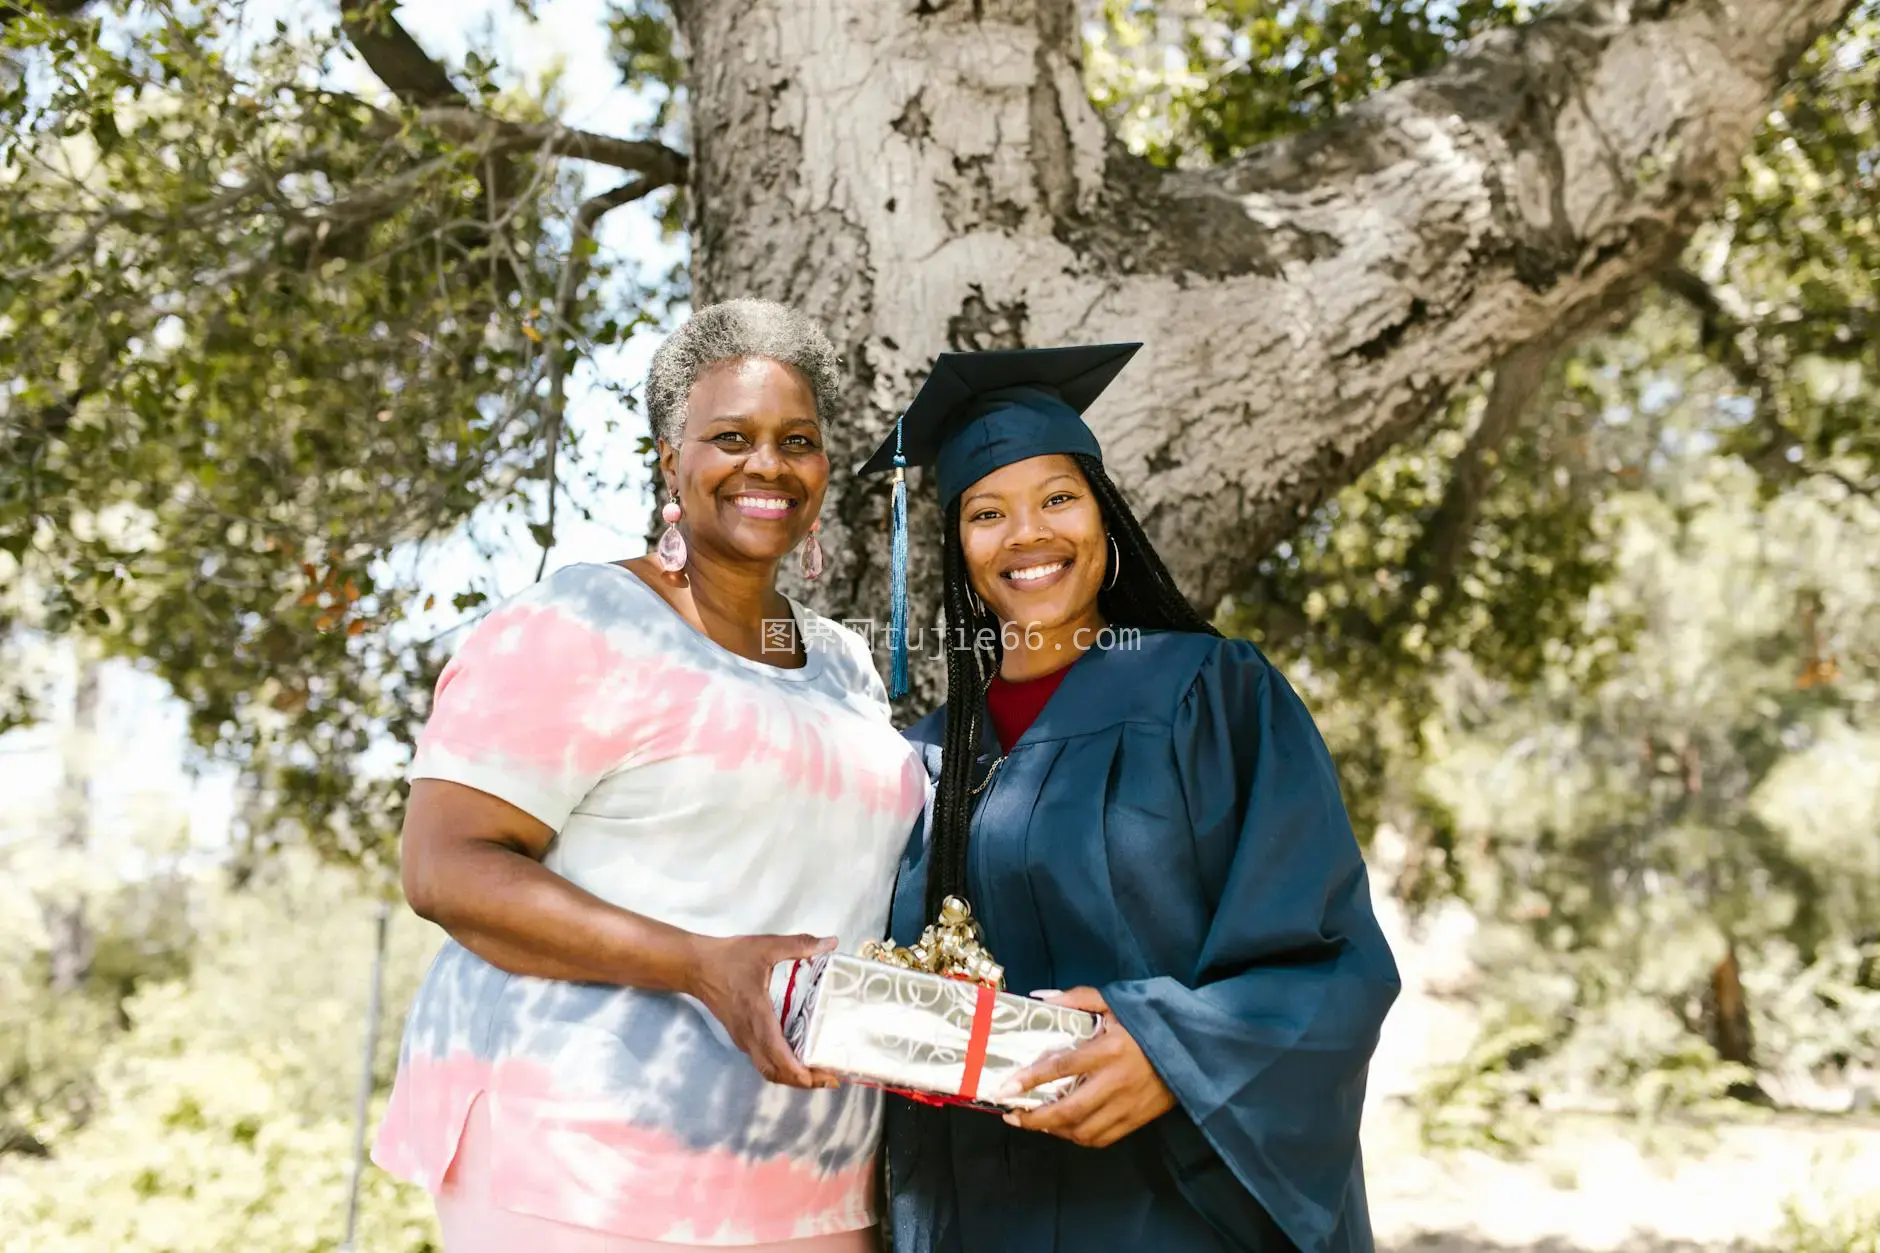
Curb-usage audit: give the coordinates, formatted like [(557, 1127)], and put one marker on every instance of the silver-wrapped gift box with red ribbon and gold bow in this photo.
[(930, 1021)]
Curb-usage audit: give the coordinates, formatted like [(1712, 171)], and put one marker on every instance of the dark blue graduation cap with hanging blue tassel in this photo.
[(980, 413)]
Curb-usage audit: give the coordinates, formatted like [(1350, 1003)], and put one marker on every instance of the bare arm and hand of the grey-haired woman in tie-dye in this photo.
[(473, 864)]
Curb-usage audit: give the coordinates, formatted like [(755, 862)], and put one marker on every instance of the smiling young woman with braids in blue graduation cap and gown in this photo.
[(1144, 816)]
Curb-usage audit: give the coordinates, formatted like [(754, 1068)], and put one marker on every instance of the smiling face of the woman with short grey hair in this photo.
[(749, 468)]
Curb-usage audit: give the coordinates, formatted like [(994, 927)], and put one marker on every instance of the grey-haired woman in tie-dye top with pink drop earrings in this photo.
[(642, 787)]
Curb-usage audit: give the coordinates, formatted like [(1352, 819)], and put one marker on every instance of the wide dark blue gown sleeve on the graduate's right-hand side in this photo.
[(1268, 1041)]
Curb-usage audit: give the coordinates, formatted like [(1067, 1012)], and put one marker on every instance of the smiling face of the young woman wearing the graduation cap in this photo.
[(1035, 543)]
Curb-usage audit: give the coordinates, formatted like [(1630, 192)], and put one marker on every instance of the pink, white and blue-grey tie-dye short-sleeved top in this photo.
[(697, 787)]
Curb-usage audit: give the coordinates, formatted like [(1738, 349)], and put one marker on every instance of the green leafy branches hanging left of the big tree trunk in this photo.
[(268, 341)]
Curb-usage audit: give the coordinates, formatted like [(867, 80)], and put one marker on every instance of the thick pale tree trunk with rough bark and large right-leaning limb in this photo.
[(930, 174)]
